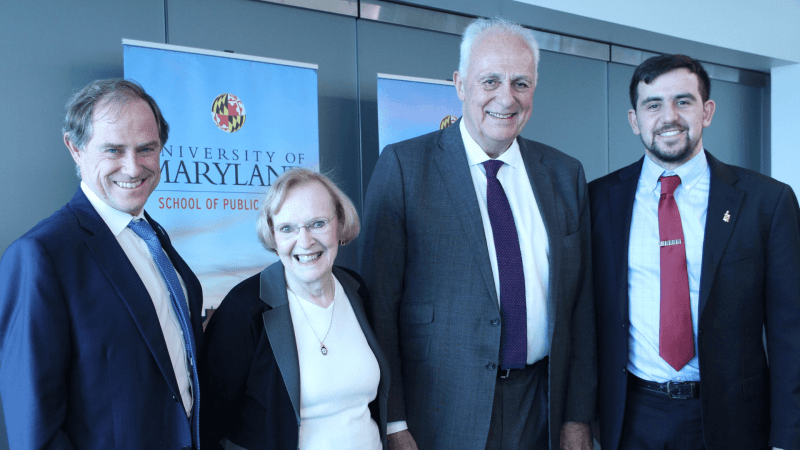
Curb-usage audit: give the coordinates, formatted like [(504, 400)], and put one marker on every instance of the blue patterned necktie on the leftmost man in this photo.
[(145, 231)]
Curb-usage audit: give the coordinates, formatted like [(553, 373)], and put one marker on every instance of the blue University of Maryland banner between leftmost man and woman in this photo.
[(236, 123)]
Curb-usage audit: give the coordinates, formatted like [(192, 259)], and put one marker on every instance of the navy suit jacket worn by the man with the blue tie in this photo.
[(84, 361)]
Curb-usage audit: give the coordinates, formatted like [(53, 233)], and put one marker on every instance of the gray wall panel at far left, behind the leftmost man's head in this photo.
[(50, 49)]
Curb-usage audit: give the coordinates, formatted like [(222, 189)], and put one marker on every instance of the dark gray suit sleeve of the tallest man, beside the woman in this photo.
[(382, 264)]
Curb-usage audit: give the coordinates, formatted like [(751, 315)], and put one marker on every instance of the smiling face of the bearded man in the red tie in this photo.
[(670, 116)]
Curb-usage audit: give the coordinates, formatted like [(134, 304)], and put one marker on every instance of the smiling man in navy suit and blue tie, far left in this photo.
[(98, 326)]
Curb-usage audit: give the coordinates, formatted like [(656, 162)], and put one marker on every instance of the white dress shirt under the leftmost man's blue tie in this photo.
[(136, 250)]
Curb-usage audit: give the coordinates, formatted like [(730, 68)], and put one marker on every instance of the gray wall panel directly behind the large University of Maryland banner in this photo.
[(283, 32)]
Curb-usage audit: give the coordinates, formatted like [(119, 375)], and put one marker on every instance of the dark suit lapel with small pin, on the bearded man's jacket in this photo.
[(724, 200)]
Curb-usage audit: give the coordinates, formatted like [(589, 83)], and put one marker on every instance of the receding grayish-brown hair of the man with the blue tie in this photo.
[(112, 91)]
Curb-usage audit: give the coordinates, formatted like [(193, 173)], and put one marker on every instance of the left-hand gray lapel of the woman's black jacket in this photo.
[(278, 325)]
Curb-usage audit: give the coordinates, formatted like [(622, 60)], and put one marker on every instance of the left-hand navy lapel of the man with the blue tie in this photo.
[(129, 287)]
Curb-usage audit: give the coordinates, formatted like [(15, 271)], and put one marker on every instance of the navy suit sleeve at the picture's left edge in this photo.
[(34, 347)]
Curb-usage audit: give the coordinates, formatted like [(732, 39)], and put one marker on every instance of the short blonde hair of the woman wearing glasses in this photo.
[(346, 214)]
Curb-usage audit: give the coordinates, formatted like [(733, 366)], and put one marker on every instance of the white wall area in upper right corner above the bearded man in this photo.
[(739, 33)]
